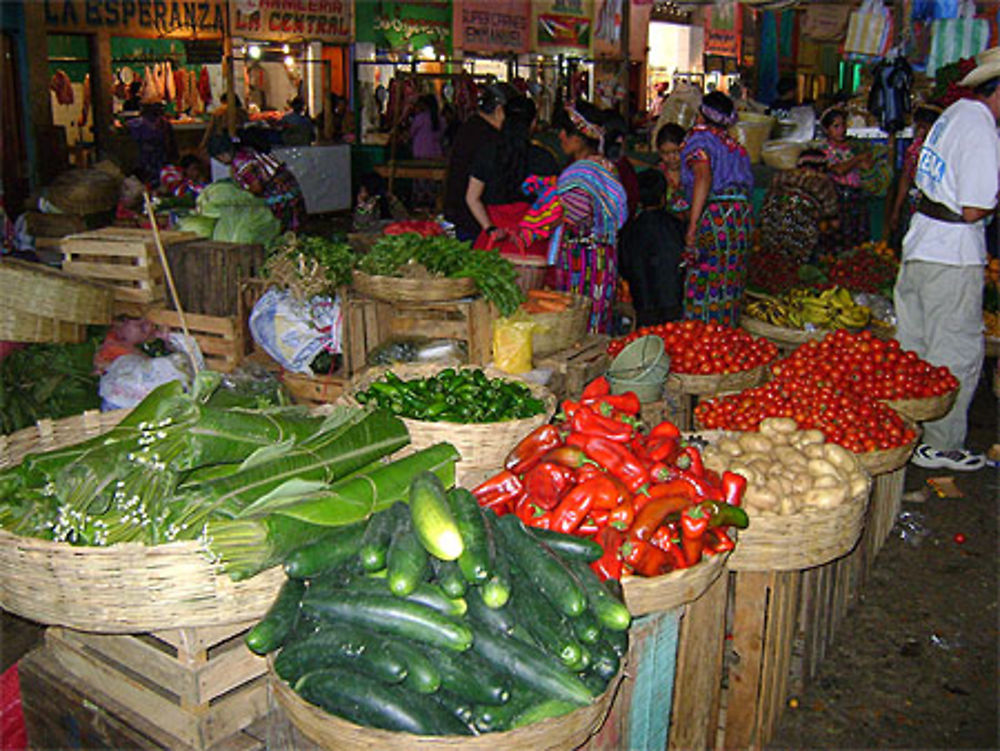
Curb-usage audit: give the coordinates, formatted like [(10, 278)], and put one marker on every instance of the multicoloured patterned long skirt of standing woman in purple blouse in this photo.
[(717, 275)]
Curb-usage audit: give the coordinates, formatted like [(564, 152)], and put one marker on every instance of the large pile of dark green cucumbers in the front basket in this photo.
[(439, 618)]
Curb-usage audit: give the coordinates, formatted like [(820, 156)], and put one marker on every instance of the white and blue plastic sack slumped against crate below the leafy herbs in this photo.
[(293, 332)]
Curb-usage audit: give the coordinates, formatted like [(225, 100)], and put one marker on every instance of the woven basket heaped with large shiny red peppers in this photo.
[(661, 517)]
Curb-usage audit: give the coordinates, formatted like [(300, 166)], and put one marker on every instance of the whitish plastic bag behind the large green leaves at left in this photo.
[(130, 378)]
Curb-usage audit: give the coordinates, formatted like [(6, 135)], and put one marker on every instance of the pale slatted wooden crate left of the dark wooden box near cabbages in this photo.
[(126, 258)]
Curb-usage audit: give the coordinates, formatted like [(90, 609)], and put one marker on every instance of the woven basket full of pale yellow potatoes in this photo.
[(806, 498)]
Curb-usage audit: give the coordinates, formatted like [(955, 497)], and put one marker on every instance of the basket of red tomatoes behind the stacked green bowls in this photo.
[(706, 358)]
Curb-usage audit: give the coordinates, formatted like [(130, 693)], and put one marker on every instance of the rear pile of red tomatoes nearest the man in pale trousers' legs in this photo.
[(864, 364)]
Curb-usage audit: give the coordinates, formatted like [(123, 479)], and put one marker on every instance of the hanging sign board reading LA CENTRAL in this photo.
[(284, 20)]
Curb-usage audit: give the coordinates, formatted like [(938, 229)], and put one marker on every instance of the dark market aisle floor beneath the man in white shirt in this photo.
[(915, 664)]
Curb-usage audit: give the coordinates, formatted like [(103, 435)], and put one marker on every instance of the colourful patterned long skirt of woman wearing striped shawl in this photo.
[(589, 268)]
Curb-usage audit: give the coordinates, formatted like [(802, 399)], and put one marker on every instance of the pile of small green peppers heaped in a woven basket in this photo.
[(466, 396)]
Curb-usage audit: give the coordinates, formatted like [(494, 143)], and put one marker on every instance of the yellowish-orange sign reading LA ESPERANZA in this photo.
[(202, 18)]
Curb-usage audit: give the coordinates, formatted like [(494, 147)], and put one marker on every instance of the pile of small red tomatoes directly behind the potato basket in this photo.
[(855, 421)]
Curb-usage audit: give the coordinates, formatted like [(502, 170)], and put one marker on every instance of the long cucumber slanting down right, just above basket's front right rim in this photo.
[(539, 671)]
